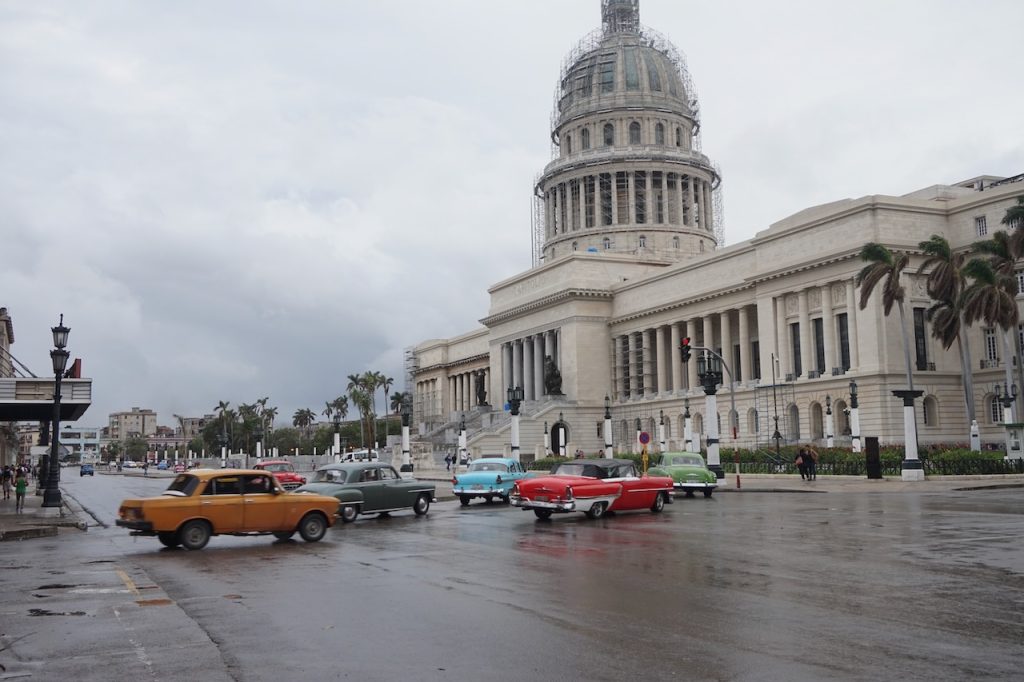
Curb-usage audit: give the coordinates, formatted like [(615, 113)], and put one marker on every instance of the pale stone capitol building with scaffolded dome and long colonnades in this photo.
[(629, 262)]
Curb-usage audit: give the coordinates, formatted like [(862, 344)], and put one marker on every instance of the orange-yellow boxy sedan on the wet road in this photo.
[(203, 503)]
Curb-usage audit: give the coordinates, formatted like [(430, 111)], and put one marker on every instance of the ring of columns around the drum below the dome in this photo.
[(612, 199)]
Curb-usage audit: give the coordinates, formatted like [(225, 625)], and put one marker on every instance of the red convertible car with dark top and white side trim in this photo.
[(592, 487)]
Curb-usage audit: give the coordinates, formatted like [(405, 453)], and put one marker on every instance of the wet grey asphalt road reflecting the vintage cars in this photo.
[(740, 587)]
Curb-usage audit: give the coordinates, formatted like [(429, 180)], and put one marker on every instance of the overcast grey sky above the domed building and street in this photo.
[(234, 200)]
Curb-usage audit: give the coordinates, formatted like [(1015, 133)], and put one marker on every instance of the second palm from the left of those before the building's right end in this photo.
[(946, 285)]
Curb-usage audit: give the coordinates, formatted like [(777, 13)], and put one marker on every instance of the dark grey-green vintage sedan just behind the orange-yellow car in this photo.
[(370, 488)]
